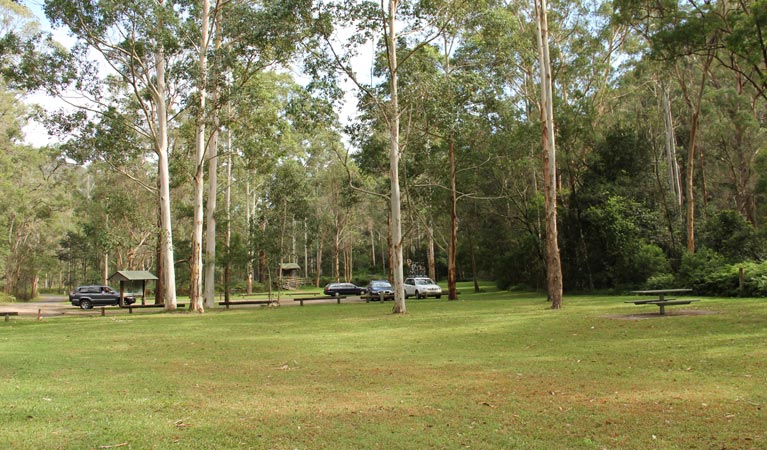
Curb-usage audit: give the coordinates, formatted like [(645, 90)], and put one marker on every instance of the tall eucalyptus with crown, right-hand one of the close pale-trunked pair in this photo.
[(249, 38)]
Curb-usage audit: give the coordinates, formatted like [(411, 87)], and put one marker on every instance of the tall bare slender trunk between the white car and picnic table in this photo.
[(553, 264)]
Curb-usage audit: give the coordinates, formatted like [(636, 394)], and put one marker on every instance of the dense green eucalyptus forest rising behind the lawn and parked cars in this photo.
[(210, 142)]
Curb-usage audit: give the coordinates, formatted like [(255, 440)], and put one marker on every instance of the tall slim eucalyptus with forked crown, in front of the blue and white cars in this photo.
[(403, 29)]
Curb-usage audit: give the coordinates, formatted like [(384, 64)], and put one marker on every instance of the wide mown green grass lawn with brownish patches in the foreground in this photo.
[(494, 370)]
